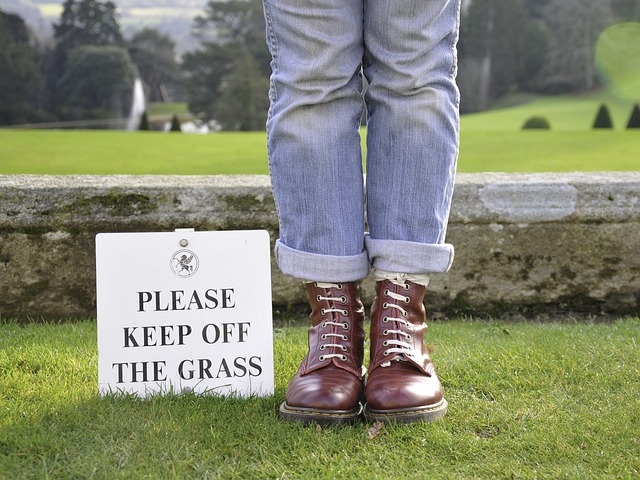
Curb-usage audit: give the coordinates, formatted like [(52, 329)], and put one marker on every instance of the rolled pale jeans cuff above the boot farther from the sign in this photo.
[(409, 257)]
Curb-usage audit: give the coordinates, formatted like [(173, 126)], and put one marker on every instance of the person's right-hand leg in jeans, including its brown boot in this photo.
[(412, 147)]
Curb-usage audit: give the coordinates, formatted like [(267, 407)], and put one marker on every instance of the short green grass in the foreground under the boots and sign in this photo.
[(527, 400)]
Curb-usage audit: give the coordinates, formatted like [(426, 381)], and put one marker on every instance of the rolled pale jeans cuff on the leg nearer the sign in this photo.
[(321, 268)]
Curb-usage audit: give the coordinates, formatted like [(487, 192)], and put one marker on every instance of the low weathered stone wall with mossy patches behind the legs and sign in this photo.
[(525, 243)]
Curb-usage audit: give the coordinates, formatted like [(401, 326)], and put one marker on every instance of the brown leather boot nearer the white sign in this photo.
[(328, 386)]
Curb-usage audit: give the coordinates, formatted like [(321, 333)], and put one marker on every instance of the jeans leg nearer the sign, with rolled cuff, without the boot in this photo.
[(313, 137)]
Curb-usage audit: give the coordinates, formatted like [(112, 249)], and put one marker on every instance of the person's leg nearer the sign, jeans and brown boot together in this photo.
[(316, 171)]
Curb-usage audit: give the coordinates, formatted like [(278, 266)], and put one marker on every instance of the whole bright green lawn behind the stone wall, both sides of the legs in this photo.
[(490, 141)]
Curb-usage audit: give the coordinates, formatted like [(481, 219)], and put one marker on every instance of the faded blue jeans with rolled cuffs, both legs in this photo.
[(320, 50)]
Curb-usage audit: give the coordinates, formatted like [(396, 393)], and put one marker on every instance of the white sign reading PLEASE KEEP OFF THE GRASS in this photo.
[(184, 311)]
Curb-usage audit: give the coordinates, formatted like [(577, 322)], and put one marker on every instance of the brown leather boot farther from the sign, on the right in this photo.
[(402, 385)]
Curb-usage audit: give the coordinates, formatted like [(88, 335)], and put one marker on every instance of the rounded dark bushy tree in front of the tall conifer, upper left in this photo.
[(98, 81)]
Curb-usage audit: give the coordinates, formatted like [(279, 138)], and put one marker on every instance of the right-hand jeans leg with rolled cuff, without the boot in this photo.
[(412, 132)]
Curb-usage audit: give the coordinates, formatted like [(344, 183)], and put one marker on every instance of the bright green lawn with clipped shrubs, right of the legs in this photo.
[(493, 141)]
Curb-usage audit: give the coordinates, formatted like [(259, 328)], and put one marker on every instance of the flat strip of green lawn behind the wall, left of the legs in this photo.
[(100, 152)]
